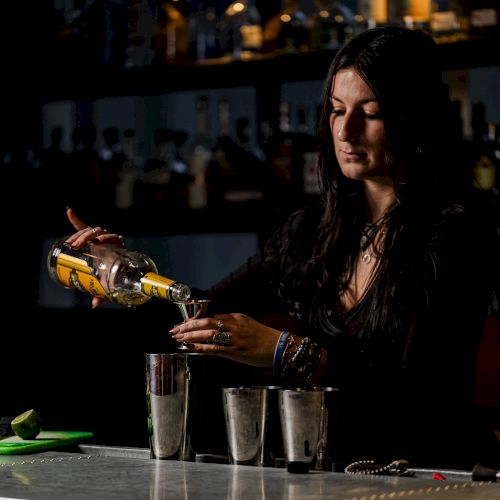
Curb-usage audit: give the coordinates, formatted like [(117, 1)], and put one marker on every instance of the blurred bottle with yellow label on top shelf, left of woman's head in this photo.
[(241, 29)]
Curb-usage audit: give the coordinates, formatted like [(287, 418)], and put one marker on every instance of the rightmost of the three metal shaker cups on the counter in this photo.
[(304, 423)]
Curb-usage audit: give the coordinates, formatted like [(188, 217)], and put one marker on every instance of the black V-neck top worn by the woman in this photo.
[(409, 395)]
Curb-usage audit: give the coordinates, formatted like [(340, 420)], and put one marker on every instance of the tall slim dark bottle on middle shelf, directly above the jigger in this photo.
[(199, 153)]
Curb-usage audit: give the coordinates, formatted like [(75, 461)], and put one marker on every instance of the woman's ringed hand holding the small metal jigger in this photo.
[(237, 337)]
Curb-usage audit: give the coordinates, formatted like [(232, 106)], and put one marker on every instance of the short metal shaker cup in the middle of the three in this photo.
[(246, 412)]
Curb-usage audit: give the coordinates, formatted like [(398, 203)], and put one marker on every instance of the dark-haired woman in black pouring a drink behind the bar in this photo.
[(383, 283)]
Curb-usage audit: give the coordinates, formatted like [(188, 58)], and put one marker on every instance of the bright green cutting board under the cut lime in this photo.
[(46, 440)]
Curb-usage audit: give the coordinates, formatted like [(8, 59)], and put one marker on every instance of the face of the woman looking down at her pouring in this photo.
[(357, 128)]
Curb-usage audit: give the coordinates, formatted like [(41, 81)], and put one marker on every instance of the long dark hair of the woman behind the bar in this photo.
[(403, 70)]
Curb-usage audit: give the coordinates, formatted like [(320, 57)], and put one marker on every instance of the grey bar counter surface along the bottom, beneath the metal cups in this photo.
[(98, 472)]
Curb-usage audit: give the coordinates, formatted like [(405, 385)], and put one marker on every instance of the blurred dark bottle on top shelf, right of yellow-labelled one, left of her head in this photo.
[(288, 30)]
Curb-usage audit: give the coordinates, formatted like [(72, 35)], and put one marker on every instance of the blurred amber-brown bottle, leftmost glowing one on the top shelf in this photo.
[(170, 39)]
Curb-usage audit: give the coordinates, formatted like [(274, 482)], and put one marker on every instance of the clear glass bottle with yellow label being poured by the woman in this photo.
[(126, 277)]
